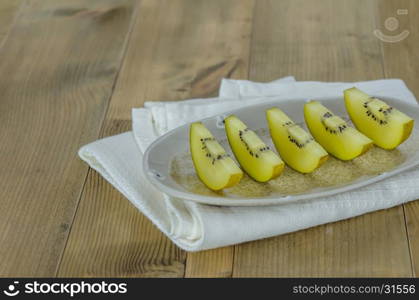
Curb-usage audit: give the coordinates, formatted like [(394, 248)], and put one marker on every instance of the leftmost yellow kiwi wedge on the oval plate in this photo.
[(212, 164)]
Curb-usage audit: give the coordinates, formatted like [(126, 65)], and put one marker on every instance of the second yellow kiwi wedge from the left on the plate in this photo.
[(254, 156)]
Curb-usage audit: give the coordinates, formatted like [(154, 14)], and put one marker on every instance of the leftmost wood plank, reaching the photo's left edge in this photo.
[(58, 64)]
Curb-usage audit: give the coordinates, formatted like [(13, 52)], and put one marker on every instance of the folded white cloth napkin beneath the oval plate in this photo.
[(194, 226)]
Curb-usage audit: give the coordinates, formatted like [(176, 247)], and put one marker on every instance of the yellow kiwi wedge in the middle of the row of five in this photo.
[(295, 146)]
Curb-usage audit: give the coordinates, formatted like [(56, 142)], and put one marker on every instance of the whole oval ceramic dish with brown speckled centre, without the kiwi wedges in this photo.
[(168, 165)]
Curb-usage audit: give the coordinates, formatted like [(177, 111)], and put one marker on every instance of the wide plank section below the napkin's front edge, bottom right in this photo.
[(350, 248)]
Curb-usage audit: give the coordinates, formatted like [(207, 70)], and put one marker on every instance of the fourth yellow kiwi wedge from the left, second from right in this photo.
[(333, 133)]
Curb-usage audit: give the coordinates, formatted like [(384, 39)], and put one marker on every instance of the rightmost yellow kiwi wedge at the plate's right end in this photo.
[(385, 125)]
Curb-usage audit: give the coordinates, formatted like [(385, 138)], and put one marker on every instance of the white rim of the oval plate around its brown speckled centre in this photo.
[(159, 155)]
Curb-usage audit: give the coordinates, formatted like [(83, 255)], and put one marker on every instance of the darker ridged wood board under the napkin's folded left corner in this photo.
[(111, 238)]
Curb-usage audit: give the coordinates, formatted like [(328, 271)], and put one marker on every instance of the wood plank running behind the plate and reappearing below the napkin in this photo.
[(332, 41)]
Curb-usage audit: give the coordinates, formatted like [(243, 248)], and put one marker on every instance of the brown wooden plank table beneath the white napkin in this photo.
[(72, 70)]
